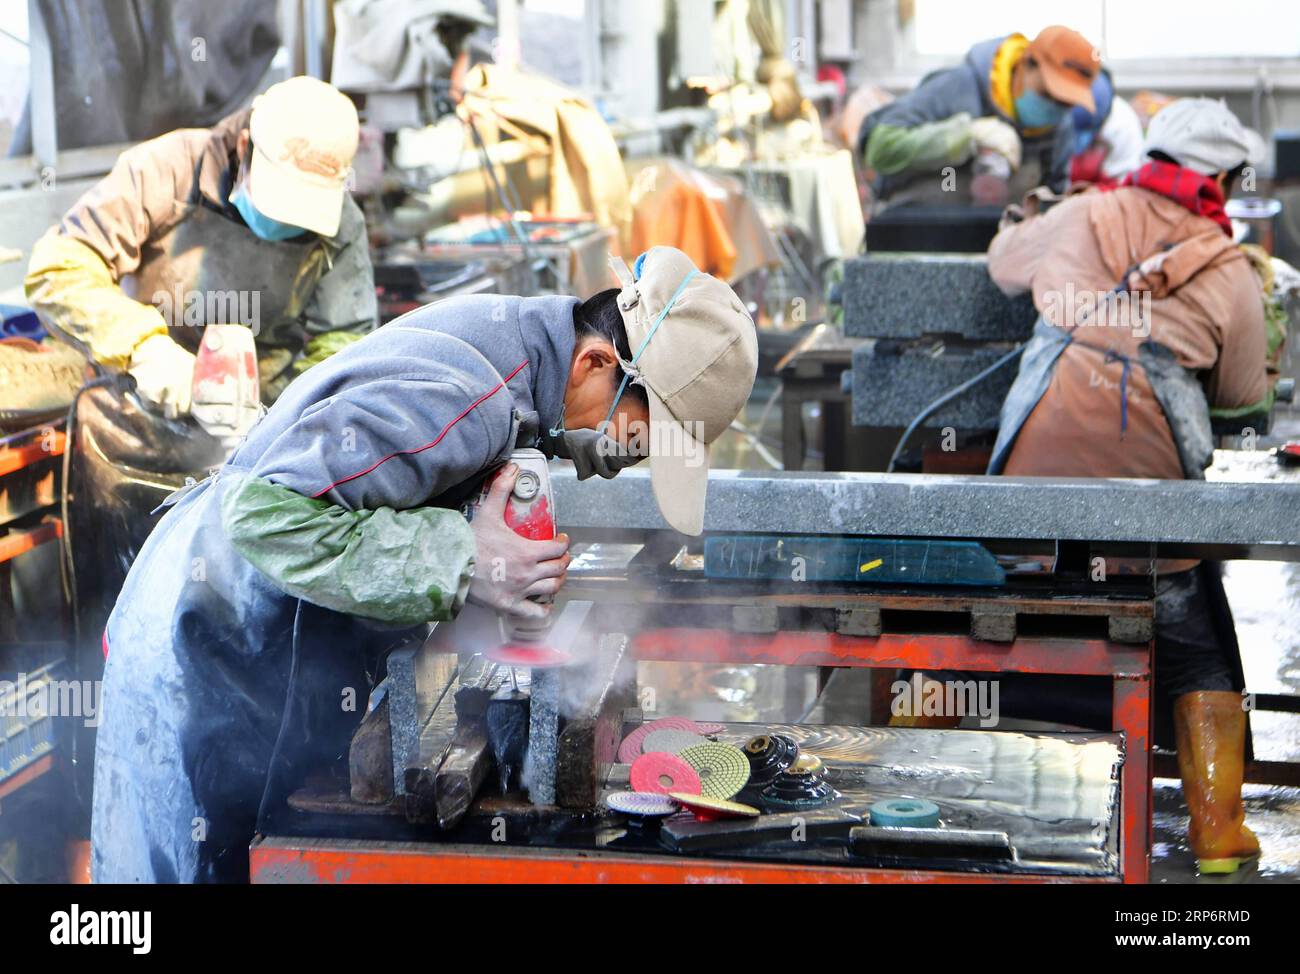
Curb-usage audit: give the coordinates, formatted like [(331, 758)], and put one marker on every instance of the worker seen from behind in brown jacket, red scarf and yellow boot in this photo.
[(1150, 317)]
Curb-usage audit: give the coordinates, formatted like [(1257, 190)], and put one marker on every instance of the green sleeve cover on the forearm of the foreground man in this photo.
[(405, 568)]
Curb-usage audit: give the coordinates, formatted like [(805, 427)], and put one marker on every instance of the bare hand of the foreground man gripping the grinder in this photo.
[(512, 570)]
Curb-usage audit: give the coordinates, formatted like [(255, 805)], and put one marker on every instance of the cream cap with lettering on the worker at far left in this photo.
[(305, 136)]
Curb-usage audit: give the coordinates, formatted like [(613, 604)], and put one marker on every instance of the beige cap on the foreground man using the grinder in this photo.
[(697, 369)]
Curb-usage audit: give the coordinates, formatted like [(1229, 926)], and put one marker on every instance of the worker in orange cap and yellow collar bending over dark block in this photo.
[(985, 131)]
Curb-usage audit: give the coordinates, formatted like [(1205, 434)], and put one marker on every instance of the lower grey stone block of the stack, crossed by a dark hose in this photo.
[(892, 386)]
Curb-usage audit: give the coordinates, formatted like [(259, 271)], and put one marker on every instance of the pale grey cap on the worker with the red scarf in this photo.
[(1202, 135)]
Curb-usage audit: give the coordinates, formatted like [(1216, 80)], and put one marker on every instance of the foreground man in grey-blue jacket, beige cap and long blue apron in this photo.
[(339, 520)]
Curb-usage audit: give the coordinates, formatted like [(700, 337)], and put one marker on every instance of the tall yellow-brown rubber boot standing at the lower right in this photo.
[(1211, 733)]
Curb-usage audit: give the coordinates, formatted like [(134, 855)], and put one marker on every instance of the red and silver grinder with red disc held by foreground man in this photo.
[(530, 513)]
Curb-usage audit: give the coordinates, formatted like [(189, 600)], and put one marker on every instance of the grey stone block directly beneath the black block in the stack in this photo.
[(912, 296)]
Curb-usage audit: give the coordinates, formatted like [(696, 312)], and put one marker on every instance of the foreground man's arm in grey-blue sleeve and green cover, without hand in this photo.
[(333, 512)]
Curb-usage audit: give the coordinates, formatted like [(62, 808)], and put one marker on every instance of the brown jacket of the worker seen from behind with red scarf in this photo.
[(1203, 304)]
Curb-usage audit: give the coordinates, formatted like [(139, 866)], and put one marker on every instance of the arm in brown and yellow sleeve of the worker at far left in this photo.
[(76, 269)]
